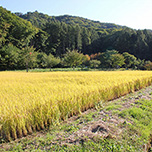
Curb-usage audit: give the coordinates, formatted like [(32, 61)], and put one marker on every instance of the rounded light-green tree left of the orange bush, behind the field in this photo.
[(73, 58)]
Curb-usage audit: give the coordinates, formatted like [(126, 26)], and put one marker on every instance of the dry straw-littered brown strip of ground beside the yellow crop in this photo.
[(105, 123)]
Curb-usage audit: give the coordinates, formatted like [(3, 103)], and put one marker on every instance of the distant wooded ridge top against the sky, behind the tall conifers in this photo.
[(40, 19)]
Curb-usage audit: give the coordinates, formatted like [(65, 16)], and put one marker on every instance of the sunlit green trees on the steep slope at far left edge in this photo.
[(13, 29)]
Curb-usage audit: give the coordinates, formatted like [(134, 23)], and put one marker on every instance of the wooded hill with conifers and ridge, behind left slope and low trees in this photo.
[(97, 36)]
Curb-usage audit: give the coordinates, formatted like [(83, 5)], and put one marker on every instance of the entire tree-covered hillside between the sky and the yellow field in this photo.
[(33, 39)]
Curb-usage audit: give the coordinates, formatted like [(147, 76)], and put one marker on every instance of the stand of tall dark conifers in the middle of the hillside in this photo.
[(63, 36)]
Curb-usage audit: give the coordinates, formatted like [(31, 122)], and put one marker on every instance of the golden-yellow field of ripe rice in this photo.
[(32, 101)]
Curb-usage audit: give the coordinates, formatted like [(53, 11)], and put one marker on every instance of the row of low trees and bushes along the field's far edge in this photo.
[(29, 58)]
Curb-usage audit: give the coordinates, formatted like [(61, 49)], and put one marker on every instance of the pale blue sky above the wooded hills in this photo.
[(136, 14)]
